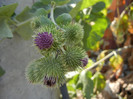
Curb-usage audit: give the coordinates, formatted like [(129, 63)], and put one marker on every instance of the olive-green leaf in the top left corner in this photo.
[(8, 10)]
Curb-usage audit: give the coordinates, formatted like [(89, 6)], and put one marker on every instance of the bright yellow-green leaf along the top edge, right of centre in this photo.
[(85, 4)]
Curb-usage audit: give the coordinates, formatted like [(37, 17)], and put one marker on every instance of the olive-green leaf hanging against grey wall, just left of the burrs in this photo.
[(24, 30)]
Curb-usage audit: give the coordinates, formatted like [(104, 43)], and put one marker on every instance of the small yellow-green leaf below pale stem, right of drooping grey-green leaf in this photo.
[(99, 81)]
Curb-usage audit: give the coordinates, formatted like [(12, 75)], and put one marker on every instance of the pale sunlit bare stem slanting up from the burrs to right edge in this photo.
[(107, 56)]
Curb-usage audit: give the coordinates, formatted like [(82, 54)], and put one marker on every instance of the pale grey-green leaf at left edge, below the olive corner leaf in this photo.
[(5, 30)]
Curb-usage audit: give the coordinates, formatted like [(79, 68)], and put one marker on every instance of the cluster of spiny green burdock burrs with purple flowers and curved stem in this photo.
[(60, 47)]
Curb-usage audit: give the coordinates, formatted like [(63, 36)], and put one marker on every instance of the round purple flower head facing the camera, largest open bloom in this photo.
[(44, 40)]
